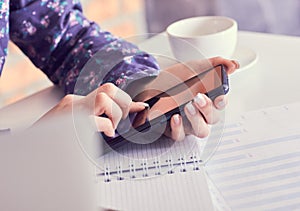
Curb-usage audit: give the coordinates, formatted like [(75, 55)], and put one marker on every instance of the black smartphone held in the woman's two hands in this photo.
[(213, 82)]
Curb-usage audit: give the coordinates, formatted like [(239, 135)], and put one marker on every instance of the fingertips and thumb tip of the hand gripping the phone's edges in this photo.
[(202, 111)]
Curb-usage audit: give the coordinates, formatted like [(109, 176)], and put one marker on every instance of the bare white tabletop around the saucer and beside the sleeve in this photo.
[(271, 81)]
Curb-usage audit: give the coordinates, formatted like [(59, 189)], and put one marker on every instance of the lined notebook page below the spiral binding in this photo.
[(181, 191)]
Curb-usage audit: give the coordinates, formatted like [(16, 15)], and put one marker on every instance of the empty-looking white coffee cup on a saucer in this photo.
[(204, 36)]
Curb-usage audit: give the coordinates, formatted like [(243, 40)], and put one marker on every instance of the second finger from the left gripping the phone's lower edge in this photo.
[(199, 125)]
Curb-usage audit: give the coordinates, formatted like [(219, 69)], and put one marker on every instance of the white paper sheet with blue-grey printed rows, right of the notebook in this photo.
[(256, 166)]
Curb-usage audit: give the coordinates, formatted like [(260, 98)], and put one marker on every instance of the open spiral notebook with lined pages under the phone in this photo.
[(164, 175)]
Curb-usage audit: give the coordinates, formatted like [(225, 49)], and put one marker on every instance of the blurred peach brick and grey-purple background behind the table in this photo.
[(131, 17)]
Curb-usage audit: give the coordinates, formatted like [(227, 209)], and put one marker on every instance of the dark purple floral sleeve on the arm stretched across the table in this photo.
[(59, 40)]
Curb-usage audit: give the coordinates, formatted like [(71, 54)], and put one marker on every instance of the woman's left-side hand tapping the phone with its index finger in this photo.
[(107, 99)]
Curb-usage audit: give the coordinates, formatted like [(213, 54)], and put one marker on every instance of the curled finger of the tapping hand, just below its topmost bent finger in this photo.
[(105, 105)]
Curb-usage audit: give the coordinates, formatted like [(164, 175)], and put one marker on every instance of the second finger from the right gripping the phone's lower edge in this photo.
[(206, 108)]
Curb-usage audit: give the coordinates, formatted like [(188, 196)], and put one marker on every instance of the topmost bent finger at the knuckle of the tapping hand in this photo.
[(118, 95)]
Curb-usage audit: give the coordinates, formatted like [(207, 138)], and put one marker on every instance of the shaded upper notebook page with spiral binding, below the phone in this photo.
[(159, 158)]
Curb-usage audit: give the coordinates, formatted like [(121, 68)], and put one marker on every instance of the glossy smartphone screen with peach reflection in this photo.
[(209, 82)]
